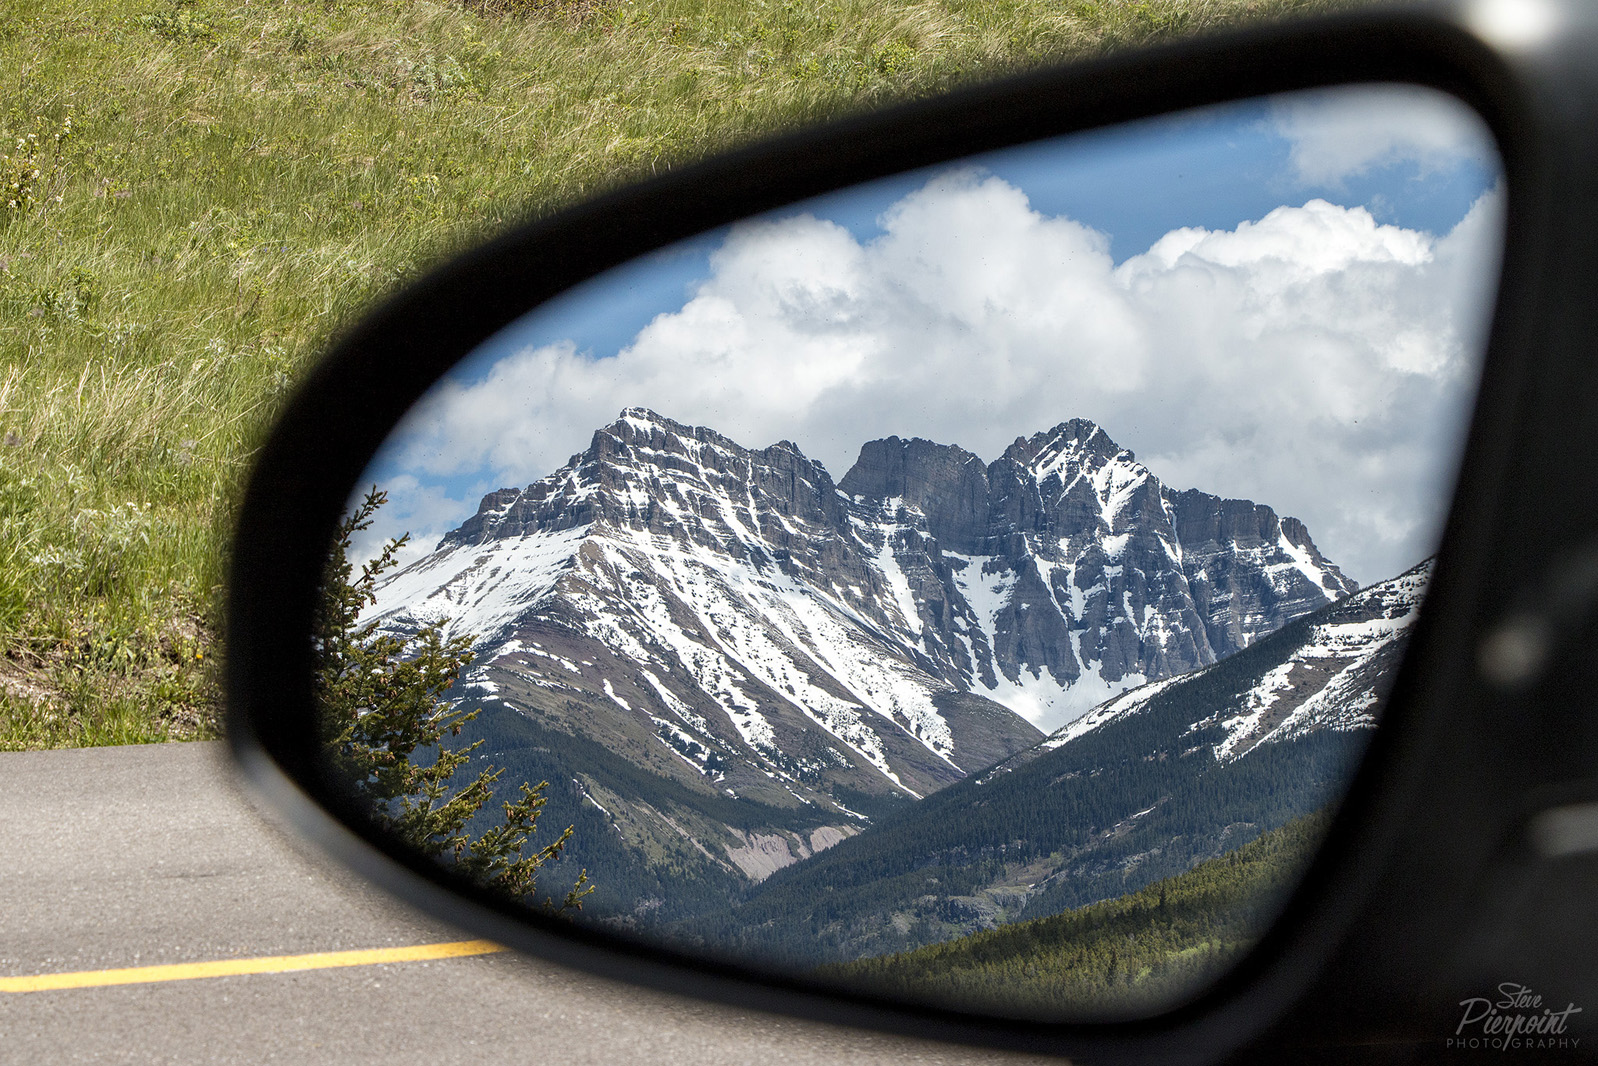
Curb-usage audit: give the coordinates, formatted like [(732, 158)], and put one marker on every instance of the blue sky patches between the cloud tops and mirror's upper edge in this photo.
[(1132, 183)]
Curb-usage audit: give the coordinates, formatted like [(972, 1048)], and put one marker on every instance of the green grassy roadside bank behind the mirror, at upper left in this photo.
[(196, 196)]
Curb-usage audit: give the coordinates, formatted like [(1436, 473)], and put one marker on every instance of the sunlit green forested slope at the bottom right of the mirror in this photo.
[(1132, 955)]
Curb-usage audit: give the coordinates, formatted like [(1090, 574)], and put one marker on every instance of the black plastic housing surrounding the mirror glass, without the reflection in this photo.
[(1460, 849)]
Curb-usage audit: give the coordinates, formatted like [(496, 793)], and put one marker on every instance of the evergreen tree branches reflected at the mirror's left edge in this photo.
[(386, 720)]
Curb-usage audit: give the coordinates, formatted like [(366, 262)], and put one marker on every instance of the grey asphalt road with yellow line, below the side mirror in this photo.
[(146, 856)]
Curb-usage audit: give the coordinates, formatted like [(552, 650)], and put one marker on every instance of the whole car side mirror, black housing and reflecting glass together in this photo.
[(985, 594)]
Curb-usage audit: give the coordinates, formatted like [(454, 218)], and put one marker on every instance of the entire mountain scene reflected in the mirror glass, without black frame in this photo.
[(974, 587)]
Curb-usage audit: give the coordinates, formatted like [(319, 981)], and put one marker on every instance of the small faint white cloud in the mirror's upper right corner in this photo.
[(1345, 132)]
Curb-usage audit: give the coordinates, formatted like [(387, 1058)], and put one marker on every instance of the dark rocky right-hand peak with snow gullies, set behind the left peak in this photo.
[(1065, 573)]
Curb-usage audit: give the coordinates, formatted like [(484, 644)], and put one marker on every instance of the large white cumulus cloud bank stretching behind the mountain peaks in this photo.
[(1311, 360)]
